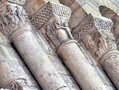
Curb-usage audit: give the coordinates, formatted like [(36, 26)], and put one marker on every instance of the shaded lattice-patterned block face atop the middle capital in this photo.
[(42, 16)]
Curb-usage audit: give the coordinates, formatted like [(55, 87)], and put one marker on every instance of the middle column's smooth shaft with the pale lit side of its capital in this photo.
[(72, 55)]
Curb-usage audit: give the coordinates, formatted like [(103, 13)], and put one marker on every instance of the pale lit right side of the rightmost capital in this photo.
[(107, 39)]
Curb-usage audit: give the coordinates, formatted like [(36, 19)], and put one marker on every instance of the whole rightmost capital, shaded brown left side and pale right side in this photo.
[(95, 35)]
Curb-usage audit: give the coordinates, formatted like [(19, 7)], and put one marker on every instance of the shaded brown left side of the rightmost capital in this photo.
[(87, 33)]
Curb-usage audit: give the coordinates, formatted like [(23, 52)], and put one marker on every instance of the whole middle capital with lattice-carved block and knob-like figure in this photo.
[(56, 30)]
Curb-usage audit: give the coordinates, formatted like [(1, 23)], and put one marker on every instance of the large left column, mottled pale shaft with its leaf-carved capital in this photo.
[(15, 25)]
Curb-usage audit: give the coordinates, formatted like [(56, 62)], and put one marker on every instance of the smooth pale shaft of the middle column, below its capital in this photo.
[(81, 69)]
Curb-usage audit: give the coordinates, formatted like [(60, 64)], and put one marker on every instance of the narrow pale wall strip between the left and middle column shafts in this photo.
[(61, 68)]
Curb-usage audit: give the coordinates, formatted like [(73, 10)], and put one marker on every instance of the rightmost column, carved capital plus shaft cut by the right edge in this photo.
[(99, 45)]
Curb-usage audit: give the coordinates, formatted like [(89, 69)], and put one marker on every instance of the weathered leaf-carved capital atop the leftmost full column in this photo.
[(12, 16)]
